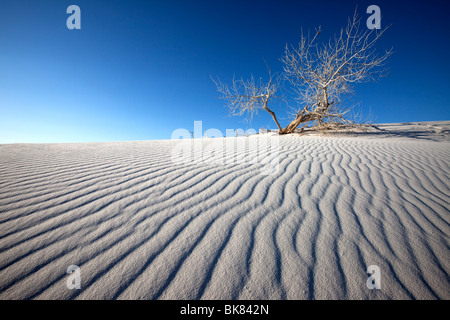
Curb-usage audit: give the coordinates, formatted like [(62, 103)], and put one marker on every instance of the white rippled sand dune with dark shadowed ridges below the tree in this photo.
[(140, 226)]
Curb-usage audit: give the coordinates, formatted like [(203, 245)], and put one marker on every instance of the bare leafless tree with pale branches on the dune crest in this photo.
[(320, 74)]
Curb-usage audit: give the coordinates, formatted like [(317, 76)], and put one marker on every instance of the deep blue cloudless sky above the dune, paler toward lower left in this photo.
[(137, 70)]
